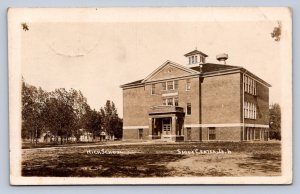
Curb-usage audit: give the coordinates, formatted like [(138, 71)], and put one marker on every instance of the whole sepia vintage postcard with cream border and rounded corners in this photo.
[(150, 95)]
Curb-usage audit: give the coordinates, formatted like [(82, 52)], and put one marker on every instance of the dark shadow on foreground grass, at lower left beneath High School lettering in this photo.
[(131, 165)]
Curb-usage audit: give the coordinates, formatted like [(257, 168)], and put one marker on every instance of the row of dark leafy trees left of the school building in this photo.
[(63, 113)]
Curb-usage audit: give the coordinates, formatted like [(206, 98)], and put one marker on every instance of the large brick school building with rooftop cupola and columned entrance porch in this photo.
[(197, 102)]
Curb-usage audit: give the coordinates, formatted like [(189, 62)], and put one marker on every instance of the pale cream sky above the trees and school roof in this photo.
[(98, 57)]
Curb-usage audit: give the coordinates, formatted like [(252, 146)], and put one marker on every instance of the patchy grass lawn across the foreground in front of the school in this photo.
[(154, 160)]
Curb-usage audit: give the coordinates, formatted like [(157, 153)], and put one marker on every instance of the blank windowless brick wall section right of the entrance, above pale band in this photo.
[(221, 102)]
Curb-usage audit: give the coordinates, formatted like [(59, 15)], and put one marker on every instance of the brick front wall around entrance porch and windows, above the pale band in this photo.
[(137, 102)]
